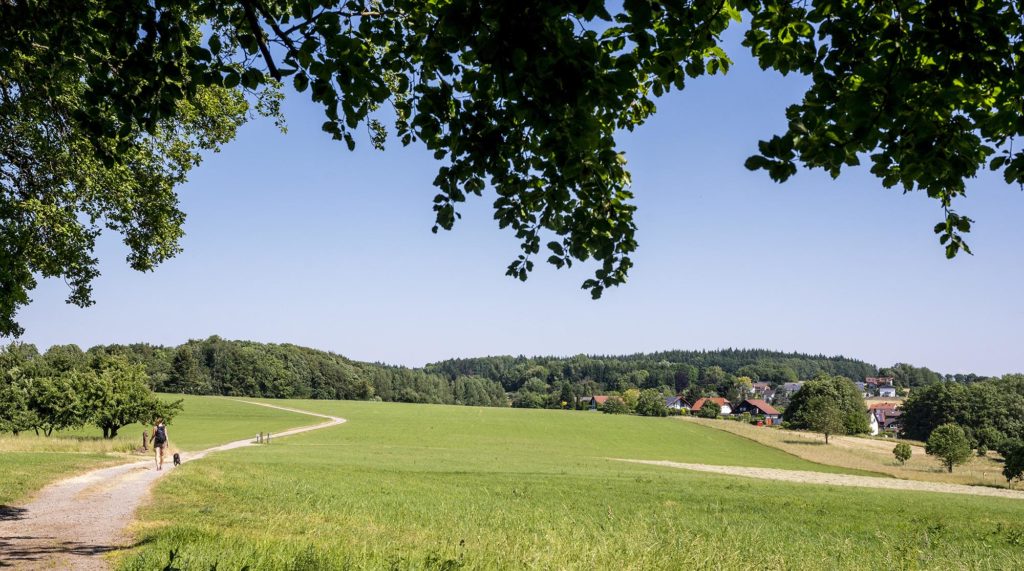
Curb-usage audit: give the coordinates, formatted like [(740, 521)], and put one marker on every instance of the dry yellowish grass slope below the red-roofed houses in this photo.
[(873, 455)]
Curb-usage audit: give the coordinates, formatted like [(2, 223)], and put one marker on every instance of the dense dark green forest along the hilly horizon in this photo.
[(219, 367)]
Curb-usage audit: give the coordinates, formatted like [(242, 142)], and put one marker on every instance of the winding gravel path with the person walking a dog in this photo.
[(72, 523)]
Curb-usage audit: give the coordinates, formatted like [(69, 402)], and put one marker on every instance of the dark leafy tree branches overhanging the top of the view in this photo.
[(105, 105)]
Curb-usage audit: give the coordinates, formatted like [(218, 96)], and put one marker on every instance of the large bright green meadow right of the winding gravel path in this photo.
[(442, 488)]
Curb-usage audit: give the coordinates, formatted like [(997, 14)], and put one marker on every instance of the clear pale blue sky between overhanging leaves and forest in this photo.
[(293, 239)]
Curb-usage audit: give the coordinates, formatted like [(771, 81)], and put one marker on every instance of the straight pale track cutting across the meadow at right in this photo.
[(803, 477)]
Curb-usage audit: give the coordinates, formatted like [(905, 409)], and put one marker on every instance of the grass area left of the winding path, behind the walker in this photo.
[(28, 463)]
